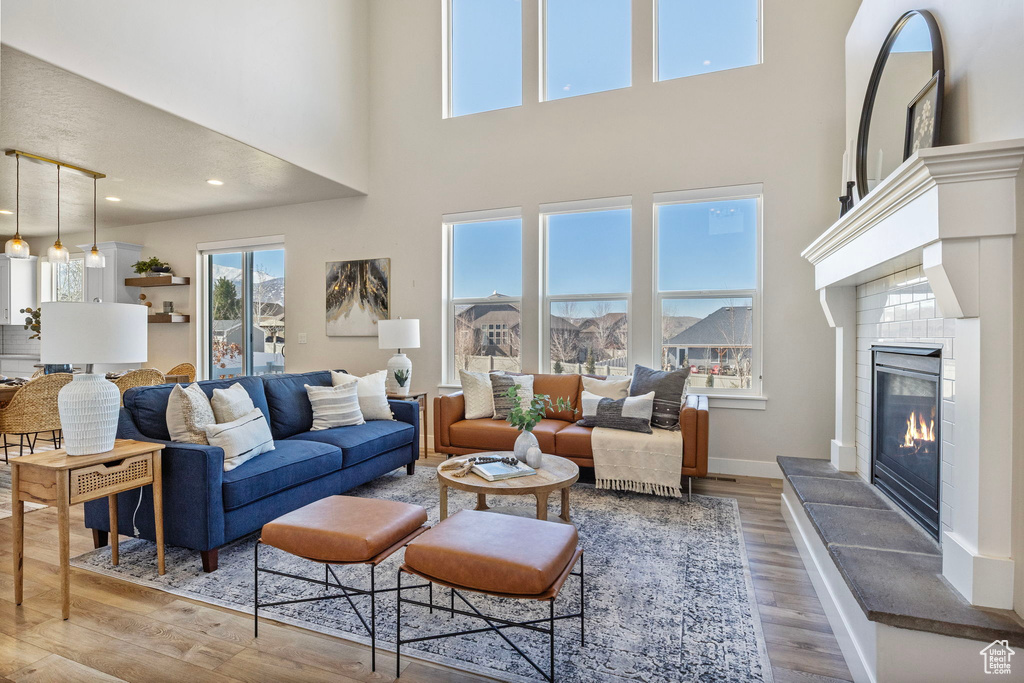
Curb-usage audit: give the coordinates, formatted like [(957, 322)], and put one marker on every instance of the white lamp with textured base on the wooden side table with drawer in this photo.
[(88, 334)]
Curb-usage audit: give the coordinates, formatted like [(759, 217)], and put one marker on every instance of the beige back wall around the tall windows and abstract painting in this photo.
[(780, 124)]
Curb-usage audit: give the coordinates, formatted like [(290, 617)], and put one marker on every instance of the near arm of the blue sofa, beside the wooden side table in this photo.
[(194, 508)]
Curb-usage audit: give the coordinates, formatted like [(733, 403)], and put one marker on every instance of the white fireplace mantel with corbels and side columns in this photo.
[(955, 211)]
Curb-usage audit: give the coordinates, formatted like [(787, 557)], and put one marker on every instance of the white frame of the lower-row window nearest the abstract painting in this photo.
[(449, 222)]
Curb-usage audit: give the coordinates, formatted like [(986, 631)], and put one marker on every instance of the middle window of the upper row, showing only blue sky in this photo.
[(586, 47)]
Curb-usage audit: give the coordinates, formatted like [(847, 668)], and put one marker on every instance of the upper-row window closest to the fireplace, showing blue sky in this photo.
[(700, 37)]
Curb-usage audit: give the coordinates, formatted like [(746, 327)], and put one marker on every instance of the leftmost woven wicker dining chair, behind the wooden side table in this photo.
[(33, 411)]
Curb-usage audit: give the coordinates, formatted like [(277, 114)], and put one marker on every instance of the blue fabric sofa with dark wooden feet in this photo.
[(206, 507)]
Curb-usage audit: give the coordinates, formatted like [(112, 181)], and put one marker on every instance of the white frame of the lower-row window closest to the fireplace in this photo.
[(756, 192)]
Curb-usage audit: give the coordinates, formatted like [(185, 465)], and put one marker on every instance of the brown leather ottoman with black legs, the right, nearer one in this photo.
[(499, 556)]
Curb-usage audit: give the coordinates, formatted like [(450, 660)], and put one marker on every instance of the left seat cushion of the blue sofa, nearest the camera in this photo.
[(290, 464)]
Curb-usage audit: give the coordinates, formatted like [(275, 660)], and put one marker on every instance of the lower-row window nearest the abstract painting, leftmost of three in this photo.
[(485, 293)]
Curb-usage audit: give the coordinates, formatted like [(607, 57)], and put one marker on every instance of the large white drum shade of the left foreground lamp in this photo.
[(94, 333)]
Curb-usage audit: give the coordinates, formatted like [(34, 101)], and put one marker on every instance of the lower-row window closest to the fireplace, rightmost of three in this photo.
[(709, 287)]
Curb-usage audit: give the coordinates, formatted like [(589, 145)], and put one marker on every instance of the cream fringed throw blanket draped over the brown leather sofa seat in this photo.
[(642, 463)]
